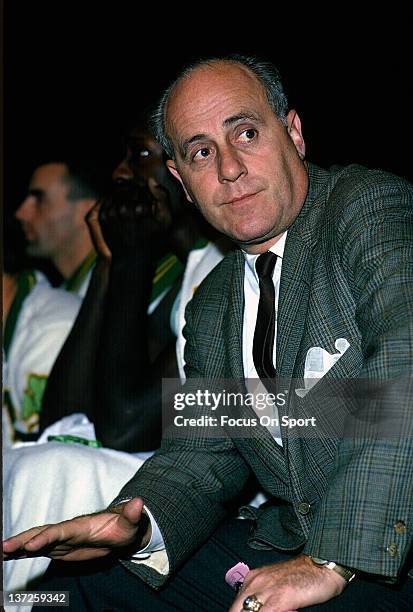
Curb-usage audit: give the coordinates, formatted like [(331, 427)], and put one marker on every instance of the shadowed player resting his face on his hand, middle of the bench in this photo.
[(151, 248)]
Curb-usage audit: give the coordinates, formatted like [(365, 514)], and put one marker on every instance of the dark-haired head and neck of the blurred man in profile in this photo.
[(52, 216)]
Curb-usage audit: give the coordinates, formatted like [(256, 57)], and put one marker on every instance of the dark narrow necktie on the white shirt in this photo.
[(263, 345)]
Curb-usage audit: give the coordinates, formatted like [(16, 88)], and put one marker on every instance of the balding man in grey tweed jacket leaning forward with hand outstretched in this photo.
[(346, 277)]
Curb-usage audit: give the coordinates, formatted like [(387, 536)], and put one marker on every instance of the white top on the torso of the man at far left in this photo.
[(45, 320)]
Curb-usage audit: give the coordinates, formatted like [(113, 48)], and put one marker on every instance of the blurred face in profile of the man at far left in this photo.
[(49, 220)]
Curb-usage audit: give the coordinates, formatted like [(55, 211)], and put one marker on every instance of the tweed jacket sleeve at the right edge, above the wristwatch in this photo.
[(365, 519)]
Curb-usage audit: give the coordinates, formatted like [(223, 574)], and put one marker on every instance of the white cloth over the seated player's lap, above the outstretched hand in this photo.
[(81, 479)]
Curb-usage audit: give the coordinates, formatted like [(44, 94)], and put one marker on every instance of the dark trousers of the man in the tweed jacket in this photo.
[(105, 585)]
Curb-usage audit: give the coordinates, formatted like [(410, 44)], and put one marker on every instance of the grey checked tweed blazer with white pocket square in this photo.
[(347, 272)]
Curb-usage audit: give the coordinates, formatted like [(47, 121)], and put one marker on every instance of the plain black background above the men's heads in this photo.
[(75, 74)]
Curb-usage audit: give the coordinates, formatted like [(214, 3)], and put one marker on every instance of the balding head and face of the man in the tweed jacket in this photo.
[(238, 163)]
